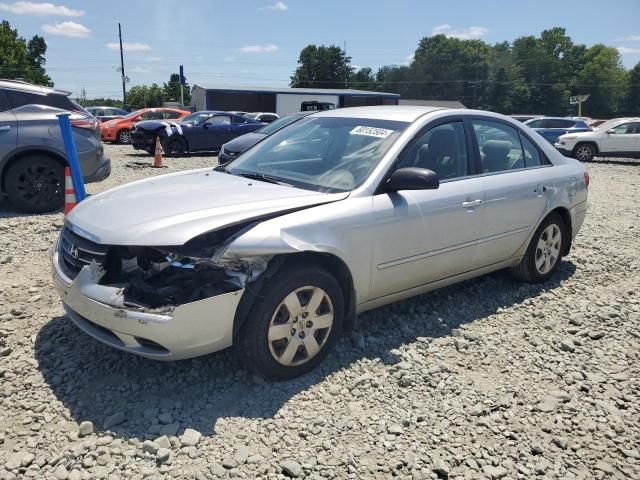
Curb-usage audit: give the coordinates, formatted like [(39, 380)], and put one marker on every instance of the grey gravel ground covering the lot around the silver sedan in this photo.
[(487, 379)]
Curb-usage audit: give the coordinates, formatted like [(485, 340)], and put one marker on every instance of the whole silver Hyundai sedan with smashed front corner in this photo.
[(277, 252)]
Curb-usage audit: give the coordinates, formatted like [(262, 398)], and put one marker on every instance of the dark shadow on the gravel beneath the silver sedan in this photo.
[(94, 381)]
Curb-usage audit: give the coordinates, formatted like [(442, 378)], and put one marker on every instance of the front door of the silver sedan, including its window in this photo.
[(422, 236)]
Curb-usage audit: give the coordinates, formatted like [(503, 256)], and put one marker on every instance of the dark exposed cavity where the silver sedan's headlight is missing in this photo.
[(153, 278)]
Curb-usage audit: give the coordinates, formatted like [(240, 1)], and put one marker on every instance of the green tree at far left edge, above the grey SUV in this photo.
[(22, 59)]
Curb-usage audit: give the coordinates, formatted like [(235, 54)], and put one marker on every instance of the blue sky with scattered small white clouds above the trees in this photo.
[(254, 42)]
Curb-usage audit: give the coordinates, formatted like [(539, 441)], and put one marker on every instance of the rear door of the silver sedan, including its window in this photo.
[(514, 178)]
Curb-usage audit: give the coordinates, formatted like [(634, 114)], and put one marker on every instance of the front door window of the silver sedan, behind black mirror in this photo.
[(442, 149)]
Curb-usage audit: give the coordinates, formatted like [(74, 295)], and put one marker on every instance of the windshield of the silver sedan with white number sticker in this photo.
[(325, 154)]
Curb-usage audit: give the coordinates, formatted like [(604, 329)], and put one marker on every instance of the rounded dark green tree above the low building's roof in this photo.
[(322, 67)]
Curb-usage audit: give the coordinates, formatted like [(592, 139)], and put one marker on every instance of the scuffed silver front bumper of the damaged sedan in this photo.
[(188, 330)]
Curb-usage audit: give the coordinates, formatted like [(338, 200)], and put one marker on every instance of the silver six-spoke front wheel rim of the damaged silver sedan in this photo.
[(300, 326)]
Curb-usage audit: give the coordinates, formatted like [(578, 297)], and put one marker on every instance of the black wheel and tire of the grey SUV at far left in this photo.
[(36, 184)]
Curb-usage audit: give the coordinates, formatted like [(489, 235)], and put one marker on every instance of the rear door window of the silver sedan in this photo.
[(500, 148)]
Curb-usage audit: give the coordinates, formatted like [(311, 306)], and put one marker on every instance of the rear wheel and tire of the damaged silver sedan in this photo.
[(544, 253)]
